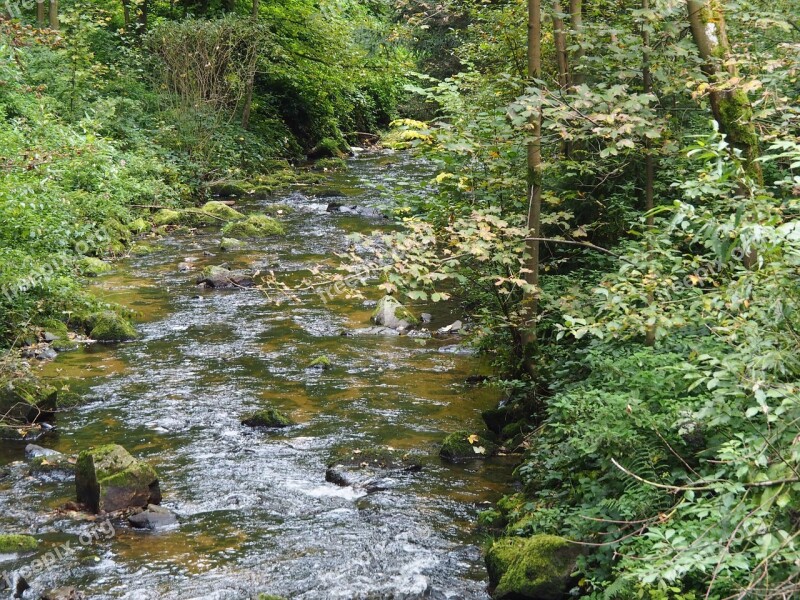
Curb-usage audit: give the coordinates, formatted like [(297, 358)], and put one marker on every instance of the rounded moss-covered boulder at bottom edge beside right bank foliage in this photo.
[(538, 567)]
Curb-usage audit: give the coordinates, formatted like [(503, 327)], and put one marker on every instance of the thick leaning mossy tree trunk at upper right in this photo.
[(730, 107)]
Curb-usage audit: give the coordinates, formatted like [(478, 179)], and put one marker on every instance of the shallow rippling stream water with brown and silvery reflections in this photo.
[(256, 514)]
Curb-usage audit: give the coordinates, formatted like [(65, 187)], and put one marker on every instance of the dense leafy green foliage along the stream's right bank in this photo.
[(665, 390)]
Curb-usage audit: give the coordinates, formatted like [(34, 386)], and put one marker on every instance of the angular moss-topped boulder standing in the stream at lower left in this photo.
[(108, 479)]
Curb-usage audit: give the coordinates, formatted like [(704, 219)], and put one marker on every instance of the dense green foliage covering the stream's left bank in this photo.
[(130, 106)]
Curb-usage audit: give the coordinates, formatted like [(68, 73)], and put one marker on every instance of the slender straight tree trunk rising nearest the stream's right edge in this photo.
[(534, 168)]
